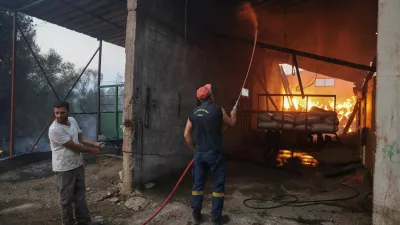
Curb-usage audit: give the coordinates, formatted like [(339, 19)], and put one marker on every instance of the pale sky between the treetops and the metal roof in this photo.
[(78, 48)]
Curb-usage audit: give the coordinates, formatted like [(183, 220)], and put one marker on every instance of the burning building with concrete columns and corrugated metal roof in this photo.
[(173, 47)]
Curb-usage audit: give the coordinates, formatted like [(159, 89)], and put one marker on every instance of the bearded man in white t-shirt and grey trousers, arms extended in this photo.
[(65, 141)]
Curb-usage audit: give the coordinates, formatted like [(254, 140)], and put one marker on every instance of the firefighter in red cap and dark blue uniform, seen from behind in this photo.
[(208, 121)]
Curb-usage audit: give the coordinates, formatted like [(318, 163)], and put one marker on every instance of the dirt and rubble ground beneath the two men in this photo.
[(29, 196)]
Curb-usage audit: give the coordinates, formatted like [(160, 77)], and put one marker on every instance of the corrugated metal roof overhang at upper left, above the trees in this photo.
[(101, 19)]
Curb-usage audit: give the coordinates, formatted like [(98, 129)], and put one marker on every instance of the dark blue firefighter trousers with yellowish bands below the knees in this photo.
[(215, 162)]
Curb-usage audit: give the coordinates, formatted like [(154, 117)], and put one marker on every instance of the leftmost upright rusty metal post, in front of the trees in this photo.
[(14, 59)]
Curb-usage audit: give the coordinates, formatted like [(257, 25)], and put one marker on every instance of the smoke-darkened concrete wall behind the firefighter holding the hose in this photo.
[(163, 68)]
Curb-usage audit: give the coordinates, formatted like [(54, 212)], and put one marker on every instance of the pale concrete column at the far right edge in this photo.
[(386, 201)]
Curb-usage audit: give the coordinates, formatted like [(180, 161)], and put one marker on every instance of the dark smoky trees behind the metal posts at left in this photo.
[(33, 96)]
